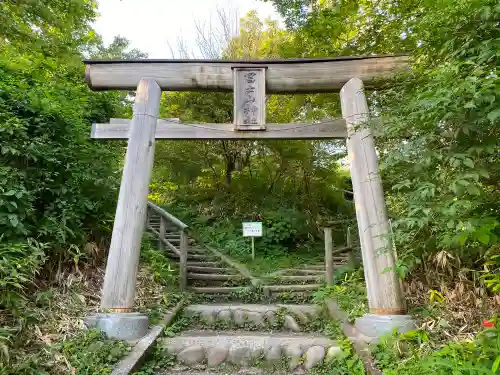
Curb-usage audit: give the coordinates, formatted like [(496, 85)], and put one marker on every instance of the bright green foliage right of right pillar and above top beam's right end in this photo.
[(439, 145)]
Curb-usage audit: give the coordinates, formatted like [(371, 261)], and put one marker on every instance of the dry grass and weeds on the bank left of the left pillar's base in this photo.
[(50, 337)]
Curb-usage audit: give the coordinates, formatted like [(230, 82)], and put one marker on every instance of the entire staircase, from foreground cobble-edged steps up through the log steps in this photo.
[(242, 338)]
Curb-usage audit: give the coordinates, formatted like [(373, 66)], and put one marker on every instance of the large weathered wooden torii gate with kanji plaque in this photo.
[(250, 81)]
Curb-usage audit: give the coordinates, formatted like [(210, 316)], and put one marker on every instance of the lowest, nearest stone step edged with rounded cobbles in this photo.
[(194, 348)]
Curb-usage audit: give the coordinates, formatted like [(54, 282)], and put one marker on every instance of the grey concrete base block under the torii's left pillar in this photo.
[(119, 326)]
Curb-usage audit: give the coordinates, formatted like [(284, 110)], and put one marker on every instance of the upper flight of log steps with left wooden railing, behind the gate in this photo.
[(207, 271)]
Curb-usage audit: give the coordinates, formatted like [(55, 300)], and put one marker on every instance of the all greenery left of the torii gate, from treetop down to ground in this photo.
[(57, 187)]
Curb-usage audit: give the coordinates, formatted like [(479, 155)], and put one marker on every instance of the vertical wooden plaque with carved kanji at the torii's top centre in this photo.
[(249, 98)]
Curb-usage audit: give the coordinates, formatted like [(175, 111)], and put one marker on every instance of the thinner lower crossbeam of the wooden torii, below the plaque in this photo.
[(334, 129)]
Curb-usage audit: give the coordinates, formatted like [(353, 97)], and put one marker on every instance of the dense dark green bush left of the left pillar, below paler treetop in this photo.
[(51, 187)]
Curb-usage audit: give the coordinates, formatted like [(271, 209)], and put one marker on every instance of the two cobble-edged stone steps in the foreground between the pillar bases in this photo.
[(275, 338)]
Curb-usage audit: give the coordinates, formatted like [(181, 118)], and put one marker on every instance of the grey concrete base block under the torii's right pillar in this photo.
[(373, 326)]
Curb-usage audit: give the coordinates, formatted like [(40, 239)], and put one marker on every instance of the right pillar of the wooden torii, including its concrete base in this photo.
[(385, 294)]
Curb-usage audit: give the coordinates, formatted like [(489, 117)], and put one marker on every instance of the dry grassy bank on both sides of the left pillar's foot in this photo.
[(48, 336)]
